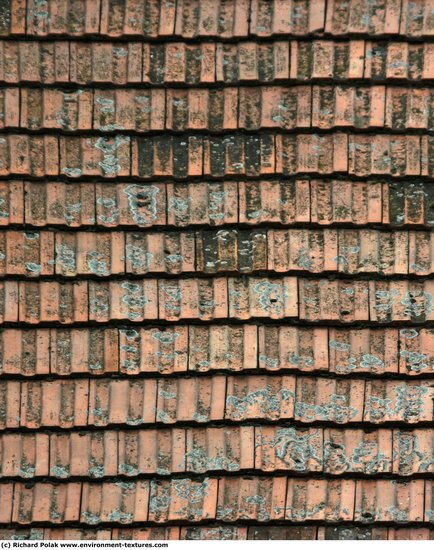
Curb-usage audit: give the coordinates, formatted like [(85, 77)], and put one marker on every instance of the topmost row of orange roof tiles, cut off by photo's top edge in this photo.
[(210, 18)]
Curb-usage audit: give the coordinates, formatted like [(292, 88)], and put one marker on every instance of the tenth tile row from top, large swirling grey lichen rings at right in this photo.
[(165, 452)]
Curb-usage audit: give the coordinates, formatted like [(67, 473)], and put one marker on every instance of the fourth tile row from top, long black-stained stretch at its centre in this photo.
[(218, 156)]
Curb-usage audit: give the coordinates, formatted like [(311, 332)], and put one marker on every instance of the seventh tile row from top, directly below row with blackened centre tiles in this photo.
[(313, 300)]
